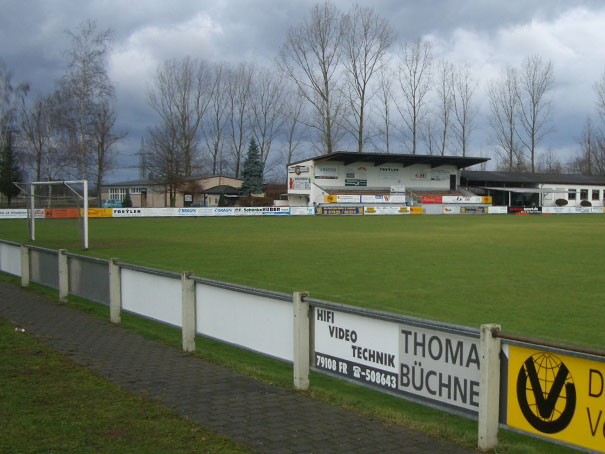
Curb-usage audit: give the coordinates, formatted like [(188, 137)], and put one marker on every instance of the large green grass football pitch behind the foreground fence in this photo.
[(536, 276)]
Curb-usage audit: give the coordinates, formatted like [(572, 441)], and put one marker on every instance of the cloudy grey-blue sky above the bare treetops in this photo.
[(483, 33)]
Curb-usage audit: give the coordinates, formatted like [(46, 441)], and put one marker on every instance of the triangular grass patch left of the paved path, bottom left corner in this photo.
[(48, 404)]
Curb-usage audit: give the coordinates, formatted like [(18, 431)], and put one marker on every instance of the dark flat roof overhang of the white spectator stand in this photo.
[(378, 159)]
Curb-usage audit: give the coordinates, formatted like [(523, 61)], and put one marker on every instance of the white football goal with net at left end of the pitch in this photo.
[(58, 200)]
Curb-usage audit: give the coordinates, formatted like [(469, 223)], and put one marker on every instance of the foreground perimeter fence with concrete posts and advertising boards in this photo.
[(525, 385)]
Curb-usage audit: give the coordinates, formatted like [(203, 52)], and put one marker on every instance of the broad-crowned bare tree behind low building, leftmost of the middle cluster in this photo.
[(180, 98)]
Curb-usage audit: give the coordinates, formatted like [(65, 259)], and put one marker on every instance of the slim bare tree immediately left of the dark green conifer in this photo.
[(238, 100)]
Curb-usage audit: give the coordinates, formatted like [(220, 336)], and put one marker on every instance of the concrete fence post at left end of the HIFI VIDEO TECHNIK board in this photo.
[(301, 341)]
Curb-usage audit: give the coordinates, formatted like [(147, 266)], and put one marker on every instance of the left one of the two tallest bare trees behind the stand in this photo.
[(310, 57)]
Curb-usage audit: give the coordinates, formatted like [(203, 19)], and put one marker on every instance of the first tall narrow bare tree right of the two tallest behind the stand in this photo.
[(414, 77)]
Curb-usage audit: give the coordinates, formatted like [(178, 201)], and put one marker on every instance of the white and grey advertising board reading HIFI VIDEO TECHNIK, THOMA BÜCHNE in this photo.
[(425, 364)]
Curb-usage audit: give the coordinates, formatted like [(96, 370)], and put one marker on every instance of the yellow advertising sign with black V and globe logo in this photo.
[(557, 396)]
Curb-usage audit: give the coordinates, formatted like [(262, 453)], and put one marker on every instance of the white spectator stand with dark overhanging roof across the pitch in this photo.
[(350, 177)]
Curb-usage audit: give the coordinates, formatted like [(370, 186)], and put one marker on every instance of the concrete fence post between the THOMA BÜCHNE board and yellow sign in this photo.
[(489, 387)]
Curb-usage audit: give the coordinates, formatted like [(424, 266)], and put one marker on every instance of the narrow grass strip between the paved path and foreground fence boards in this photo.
[(358, 399)]
